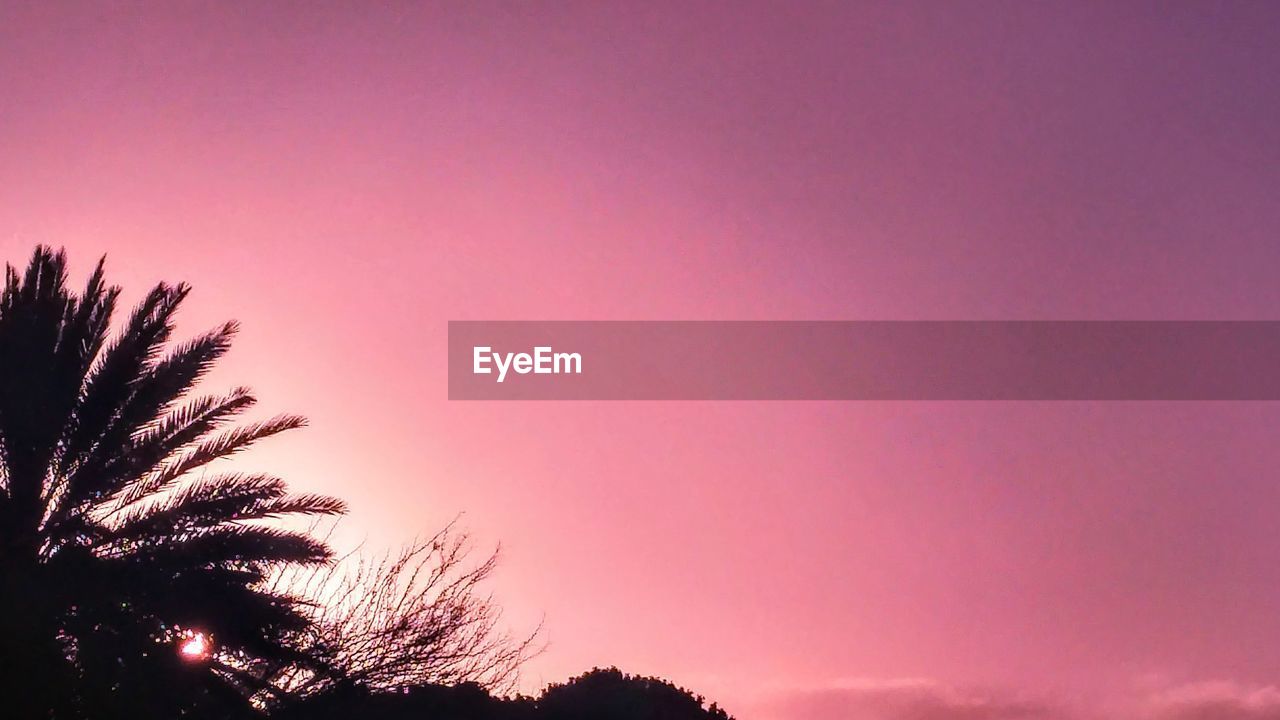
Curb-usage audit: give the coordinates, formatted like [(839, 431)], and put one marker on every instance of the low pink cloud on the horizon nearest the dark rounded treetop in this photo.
[(906, 700)]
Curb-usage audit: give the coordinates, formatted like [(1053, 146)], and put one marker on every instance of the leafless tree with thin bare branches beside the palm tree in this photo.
[(417, 618)]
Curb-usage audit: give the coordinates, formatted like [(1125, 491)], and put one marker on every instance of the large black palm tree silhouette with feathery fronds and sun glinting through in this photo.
[(115, 552)]
